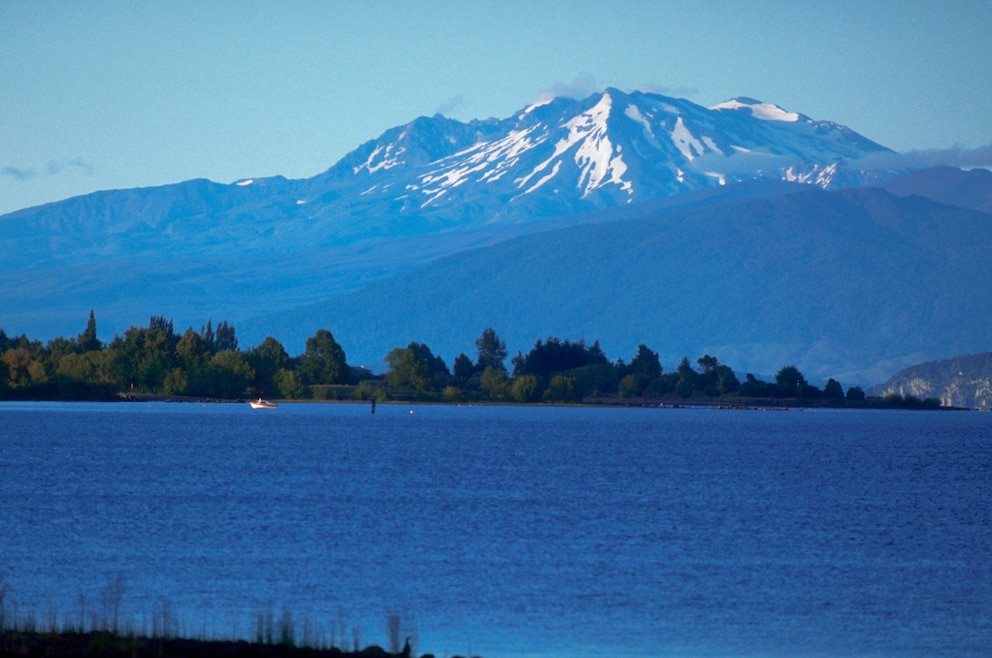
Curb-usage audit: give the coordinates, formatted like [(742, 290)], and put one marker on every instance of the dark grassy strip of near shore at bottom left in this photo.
[(96, 644)]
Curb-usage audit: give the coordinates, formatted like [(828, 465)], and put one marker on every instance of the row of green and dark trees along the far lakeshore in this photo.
[(155, 360)]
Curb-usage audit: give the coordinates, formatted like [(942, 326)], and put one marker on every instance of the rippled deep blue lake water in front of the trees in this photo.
[(508, 531)]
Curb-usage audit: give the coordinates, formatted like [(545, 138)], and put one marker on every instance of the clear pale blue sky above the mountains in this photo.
[(103, 95)]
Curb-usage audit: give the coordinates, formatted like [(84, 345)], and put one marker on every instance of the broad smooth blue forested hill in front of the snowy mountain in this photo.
[(854, 284)]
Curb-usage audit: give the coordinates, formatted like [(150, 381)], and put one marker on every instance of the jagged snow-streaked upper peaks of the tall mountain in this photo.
[(567, 155)]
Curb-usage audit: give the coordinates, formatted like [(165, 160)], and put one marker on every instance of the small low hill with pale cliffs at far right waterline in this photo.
[(962, 381)]
